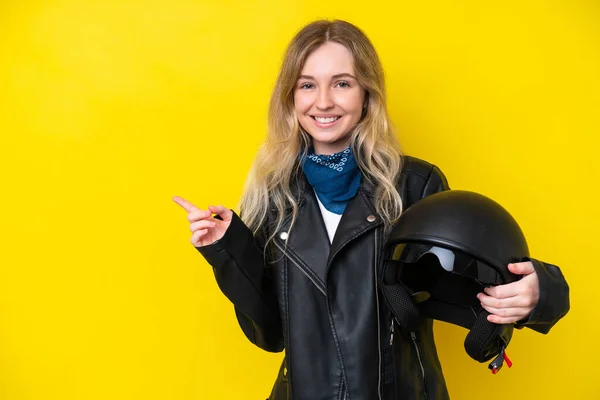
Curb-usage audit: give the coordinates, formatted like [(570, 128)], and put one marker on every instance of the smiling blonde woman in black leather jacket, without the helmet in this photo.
[(301, 265)]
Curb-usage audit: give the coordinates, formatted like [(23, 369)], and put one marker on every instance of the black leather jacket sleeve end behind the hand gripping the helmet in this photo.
[(553, 303)]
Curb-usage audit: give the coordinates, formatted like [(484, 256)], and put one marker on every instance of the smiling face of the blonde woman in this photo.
[(328, 99)]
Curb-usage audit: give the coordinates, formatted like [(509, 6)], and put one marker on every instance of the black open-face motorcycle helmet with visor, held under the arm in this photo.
[(441, 253)]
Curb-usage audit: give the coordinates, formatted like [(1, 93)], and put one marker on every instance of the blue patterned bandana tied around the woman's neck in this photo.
[(335, 178)]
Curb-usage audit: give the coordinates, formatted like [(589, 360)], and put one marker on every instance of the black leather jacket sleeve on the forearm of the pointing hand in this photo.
[(239, 268)]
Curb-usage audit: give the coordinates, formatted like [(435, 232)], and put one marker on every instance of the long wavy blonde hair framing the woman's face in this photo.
[(269, 184)]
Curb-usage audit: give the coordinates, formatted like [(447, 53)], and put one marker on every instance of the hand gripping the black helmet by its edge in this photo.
[(514, 301)]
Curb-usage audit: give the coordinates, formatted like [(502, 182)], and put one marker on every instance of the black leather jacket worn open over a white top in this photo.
[(320, 301)]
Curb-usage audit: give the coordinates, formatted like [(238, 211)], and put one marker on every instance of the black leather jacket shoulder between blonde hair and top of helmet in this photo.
[(418, 179)]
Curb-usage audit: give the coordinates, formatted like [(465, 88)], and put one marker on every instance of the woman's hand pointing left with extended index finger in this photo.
[(205, 228)]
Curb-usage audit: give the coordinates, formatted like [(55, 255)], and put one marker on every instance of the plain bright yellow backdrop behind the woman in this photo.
[(109, 108)]
